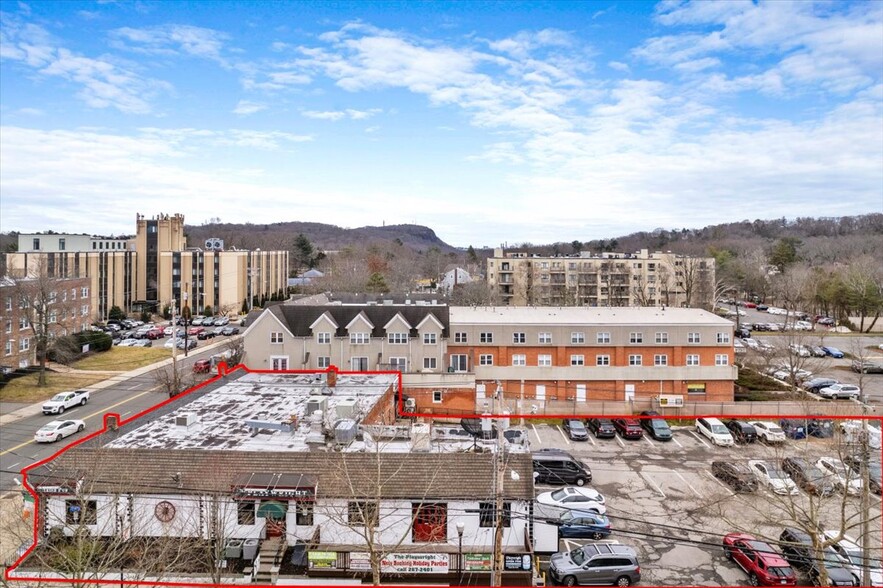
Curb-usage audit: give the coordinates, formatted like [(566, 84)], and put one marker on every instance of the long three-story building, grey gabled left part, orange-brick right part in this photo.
[(454, 358)]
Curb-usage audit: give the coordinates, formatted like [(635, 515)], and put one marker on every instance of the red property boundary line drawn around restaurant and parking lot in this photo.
[(223, 371)]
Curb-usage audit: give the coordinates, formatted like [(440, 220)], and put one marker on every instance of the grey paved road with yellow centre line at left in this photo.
[(128, 394)]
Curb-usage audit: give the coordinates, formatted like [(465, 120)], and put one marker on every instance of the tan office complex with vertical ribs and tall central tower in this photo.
[(154, 268)]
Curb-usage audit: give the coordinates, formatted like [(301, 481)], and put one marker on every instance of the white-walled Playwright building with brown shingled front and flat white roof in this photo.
[(259, 462)]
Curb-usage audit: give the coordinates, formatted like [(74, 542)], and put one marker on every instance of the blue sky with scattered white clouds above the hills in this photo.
[(489, 122)]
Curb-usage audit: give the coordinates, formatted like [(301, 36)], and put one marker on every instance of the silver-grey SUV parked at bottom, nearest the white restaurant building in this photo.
[(613, 564)]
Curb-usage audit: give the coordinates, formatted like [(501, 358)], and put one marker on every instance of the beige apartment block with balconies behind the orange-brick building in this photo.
[(608, 279)]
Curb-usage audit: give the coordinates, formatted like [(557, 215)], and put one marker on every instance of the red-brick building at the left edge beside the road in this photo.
[(65, 307)]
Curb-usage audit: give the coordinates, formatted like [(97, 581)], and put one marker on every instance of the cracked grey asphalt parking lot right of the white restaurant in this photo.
[(663, 500)]
